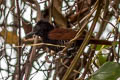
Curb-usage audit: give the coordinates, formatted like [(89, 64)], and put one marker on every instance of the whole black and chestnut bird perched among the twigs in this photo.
[(50, 34)]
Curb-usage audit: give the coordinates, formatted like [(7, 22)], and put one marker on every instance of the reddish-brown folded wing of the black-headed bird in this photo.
[(62, 34)]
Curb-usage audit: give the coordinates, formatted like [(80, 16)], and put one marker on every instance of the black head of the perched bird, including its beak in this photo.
[(42, 29)]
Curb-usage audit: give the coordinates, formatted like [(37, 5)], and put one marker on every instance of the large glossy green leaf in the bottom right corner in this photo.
[(109, 71)]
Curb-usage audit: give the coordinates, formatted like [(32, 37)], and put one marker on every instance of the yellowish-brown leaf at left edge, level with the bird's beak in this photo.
[(11, 37)]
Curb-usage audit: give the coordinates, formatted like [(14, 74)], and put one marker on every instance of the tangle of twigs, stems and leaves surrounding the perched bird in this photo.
[(25, 60)]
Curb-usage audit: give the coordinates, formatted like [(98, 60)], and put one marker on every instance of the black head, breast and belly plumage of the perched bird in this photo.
[(42, 29)]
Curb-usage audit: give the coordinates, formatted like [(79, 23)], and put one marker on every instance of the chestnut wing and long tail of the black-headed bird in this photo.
[(68, 34)]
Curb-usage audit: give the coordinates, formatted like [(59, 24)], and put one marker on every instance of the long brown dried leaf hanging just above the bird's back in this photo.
[(60, 20)]
